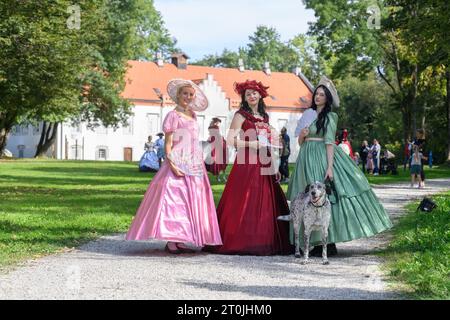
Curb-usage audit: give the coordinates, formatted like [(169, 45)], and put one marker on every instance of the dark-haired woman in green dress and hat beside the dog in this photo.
[(356, 211)]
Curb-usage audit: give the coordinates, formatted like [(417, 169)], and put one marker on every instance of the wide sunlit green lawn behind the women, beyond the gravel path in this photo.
[(49, 205)]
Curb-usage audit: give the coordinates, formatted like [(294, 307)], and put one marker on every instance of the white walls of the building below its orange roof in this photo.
[(127, 143)]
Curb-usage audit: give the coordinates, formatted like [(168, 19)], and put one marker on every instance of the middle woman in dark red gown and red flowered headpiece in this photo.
[(252, 199)]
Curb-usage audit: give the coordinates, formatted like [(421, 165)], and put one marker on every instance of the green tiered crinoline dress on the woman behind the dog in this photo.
[(356, 211)]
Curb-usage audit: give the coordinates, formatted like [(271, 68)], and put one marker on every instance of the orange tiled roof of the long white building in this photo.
[(147, 81)]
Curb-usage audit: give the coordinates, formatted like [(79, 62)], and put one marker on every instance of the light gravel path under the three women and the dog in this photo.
[(111, 268)]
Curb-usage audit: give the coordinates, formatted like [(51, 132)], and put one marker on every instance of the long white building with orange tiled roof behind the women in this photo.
[(146, 82)]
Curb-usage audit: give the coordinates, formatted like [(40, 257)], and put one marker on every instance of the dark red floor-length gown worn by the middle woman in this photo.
[(250, 205)]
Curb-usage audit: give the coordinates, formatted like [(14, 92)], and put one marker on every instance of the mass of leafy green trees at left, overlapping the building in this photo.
[(52, 72)]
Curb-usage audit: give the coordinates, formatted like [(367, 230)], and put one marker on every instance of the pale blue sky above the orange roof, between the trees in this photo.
[(208, 26)]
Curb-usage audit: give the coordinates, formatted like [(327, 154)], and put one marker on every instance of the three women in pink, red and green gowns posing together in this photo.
[(178, 206)]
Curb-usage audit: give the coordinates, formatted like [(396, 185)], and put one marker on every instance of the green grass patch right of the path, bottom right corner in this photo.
[(418, 258)]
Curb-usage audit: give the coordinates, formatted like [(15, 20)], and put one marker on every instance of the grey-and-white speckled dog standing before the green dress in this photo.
[(312, 209)]
